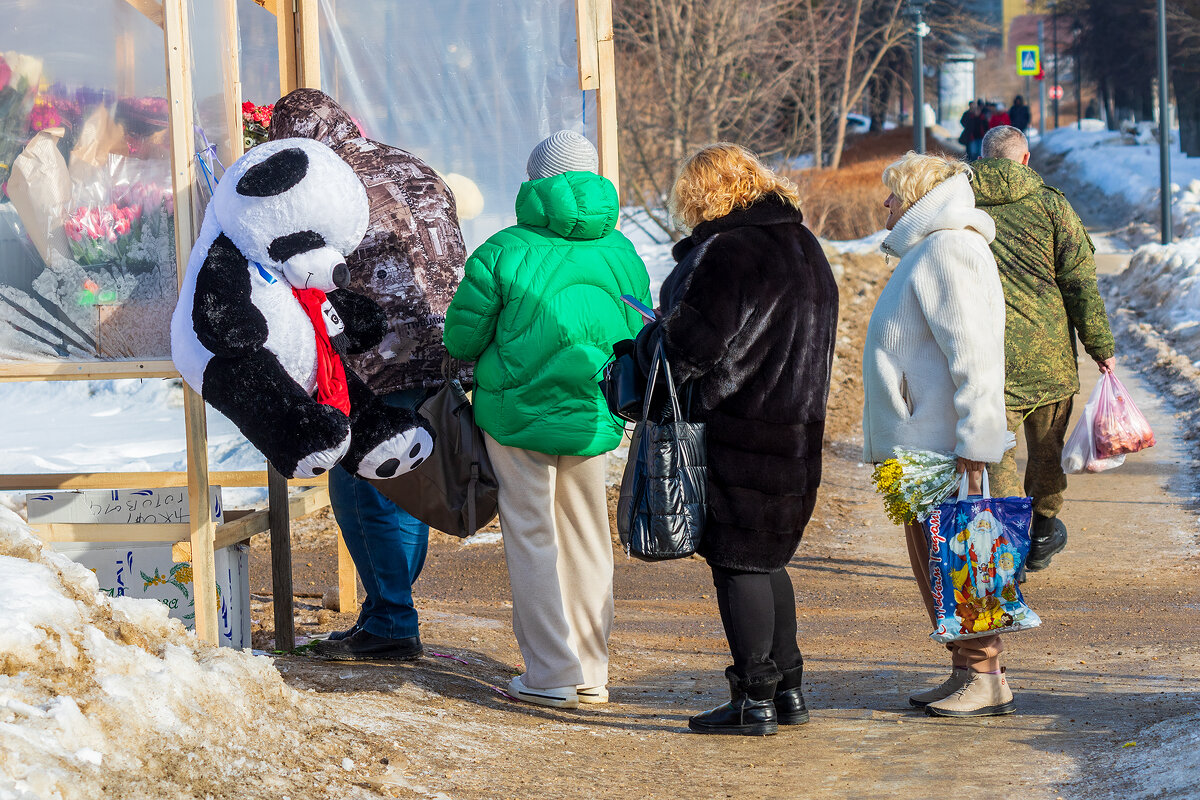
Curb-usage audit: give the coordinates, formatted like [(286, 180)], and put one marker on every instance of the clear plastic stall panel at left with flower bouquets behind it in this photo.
[(87, 221)]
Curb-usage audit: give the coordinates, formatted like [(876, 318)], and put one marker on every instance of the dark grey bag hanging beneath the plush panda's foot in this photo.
[(455, 490)]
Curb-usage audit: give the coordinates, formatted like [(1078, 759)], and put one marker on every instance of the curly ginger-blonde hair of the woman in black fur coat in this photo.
[(724, 177)]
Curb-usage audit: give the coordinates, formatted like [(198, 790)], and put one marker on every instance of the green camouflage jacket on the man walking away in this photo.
[(1048, 272)]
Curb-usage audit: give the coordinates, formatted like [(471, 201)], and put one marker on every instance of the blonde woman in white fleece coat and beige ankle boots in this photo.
[(934, 375)]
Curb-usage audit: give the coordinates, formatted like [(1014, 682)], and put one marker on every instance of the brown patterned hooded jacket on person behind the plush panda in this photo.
[(412, 258)]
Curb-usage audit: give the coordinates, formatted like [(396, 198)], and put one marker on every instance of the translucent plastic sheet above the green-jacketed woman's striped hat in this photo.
[(467, 86)]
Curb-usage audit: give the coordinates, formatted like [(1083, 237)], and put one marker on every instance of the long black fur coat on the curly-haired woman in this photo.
[(749, 318)]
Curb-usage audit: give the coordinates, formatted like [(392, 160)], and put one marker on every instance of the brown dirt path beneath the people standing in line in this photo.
[(1118, 654)]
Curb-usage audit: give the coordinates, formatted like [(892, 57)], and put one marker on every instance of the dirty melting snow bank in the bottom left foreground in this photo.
[(109, 697)]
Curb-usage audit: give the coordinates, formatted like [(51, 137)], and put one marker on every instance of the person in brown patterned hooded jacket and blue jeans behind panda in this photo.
[(411, 262)]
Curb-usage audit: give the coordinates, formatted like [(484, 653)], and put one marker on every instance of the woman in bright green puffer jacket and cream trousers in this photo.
[(539, 310)]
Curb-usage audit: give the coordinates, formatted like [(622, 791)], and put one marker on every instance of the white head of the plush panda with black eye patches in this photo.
[(295, 206)]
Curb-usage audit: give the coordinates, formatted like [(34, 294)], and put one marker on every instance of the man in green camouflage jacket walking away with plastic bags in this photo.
[(1048, 270)]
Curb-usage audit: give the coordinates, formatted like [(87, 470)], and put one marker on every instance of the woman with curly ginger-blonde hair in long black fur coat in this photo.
[(748, 318)]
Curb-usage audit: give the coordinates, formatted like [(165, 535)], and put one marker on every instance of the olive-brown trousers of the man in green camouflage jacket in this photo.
[(1046, 429)]
